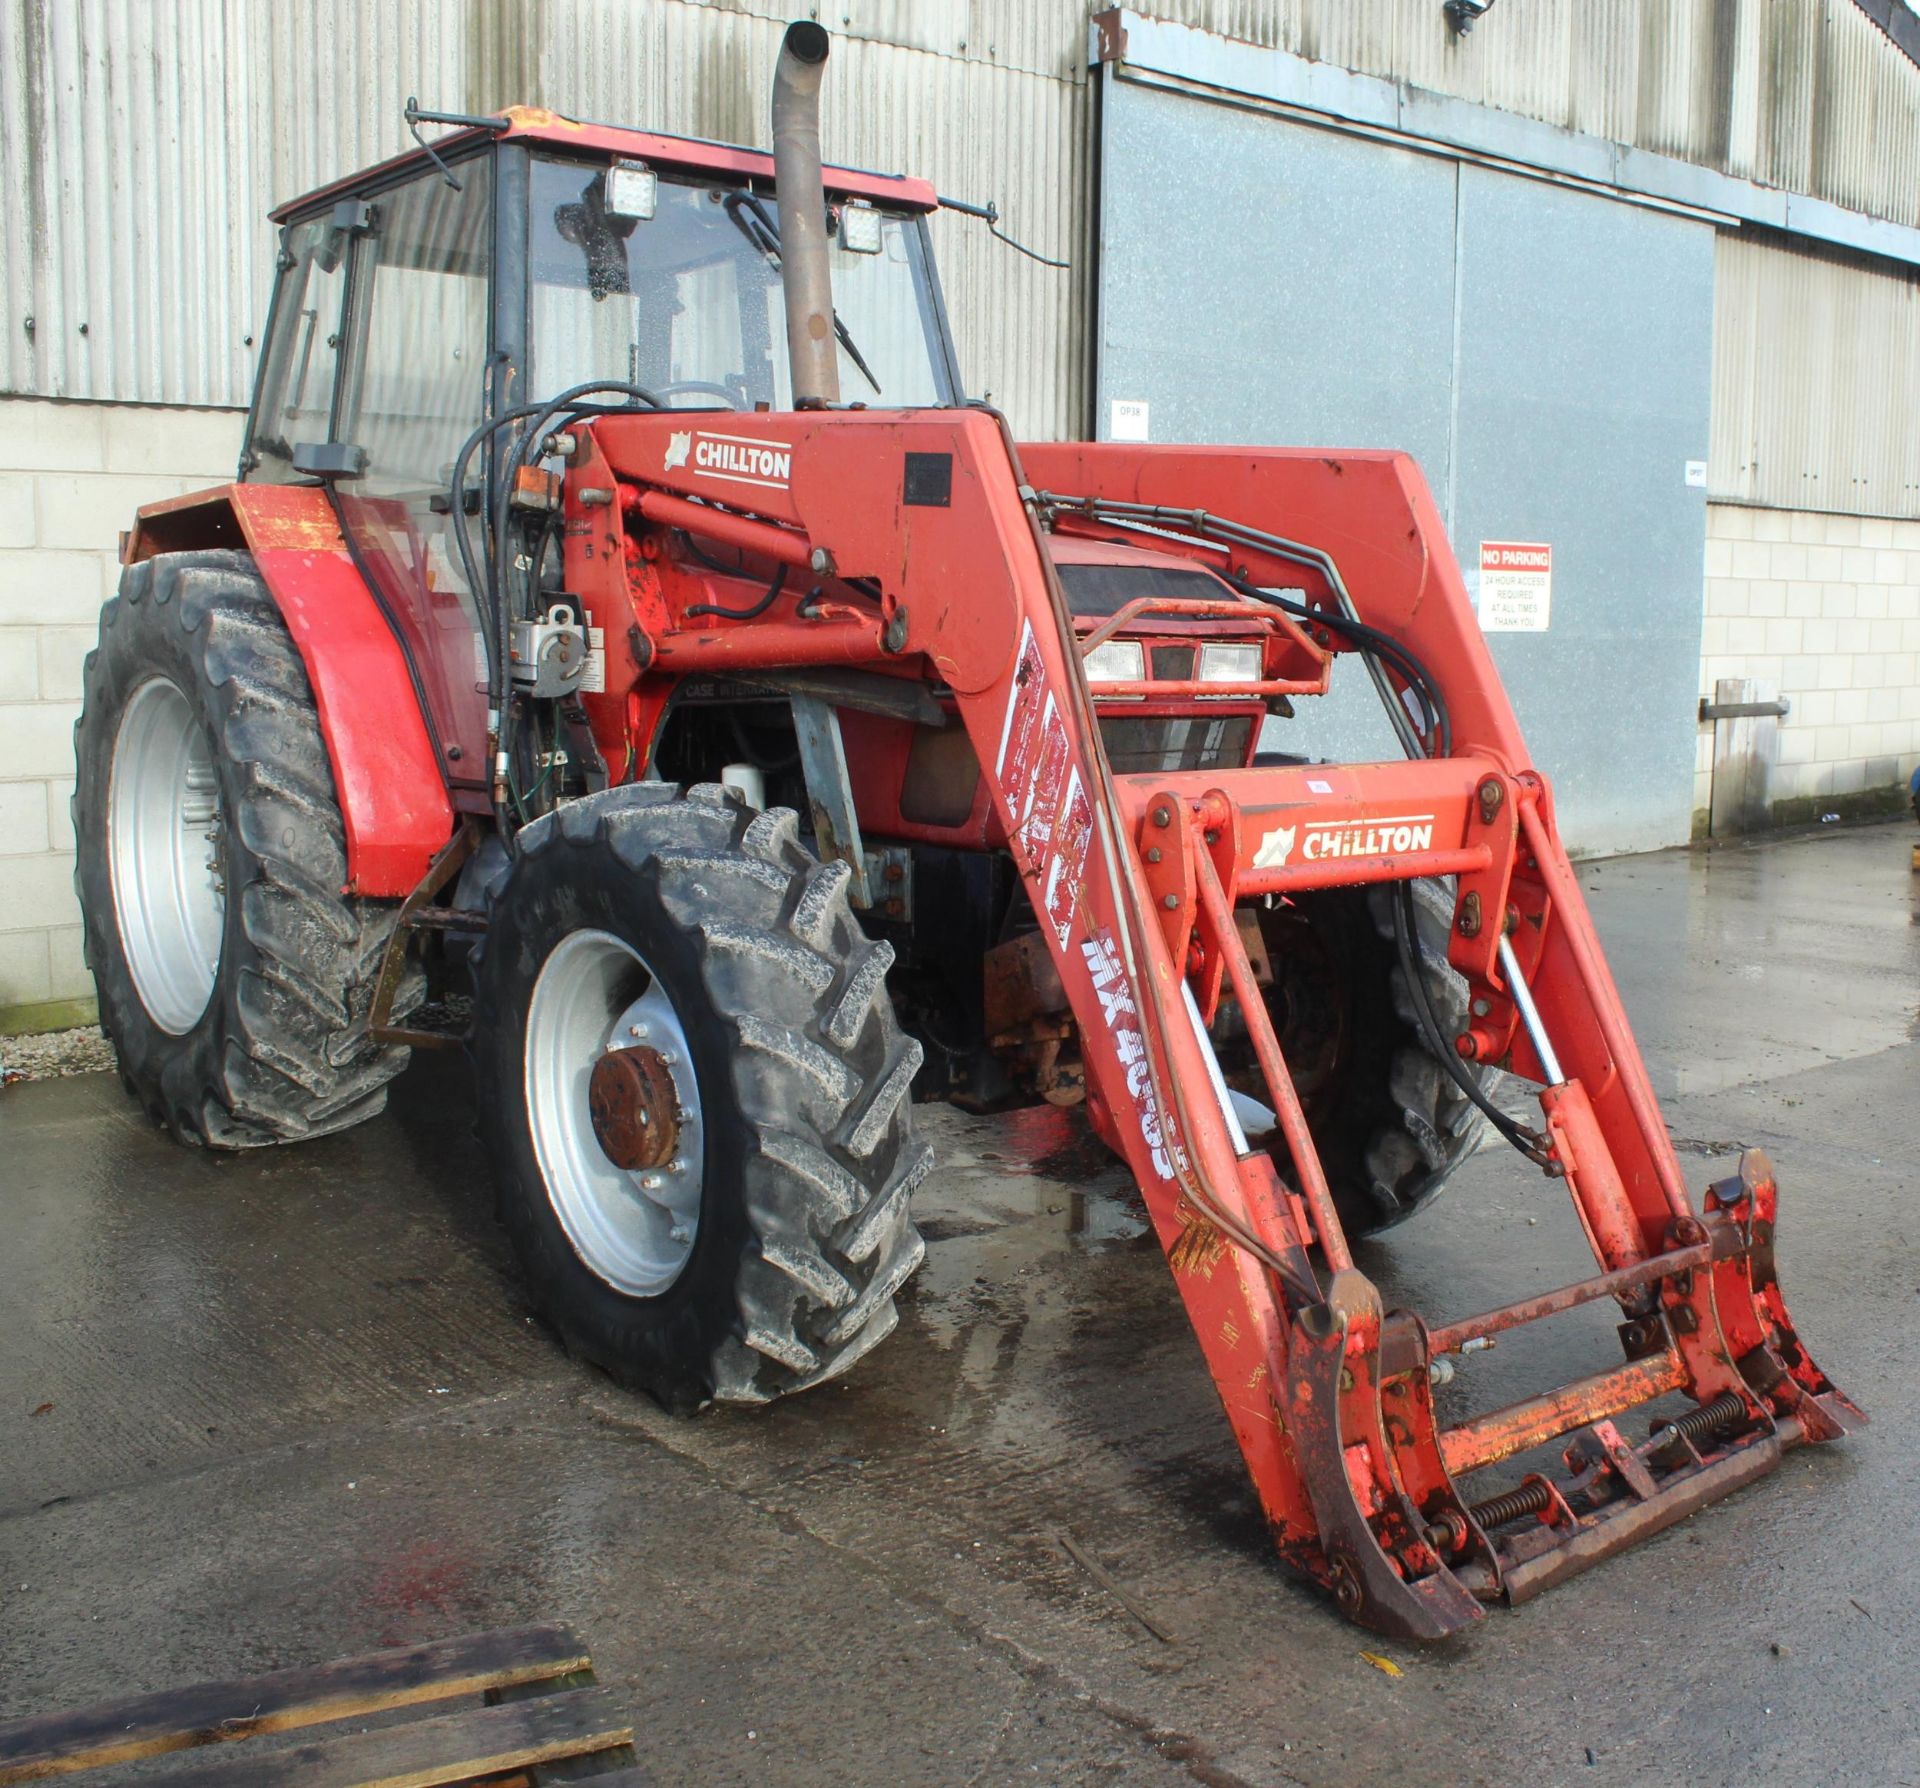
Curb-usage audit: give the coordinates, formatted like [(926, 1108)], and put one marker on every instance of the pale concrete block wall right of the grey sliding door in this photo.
[(1825, 610)]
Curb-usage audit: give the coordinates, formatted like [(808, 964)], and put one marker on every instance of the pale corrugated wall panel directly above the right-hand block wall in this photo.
[(1815, 379)]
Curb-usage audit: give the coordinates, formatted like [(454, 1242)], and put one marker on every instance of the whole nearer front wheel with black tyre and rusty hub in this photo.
[(696, 1098)]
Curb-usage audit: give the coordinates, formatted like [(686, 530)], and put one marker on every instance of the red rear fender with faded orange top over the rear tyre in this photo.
[(387, 775)]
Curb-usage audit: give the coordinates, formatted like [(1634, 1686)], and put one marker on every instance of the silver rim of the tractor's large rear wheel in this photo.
[(164, 856)]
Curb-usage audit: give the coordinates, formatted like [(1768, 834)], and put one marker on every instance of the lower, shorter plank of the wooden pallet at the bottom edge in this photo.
[(429, 1752)]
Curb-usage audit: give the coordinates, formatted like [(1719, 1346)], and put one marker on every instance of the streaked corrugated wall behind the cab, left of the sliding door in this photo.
[(151, 137)]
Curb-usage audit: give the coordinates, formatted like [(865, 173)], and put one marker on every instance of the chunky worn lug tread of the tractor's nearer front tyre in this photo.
[(821, 1076)]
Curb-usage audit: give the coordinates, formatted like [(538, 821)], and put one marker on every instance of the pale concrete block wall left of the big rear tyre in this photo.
[(70, 479)]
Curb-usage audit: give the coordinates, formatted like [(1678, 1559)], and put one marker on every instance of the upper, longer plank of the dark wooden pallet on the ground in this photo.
[(176, 1720)]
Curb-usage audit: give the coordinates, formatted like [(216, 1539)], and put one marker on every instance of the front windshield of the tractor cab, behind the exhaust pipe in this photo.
[(688, 302)]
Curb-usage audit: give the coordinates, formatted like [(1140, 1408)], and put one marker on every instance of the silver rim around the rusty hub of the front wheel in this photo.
[(633, 1230)]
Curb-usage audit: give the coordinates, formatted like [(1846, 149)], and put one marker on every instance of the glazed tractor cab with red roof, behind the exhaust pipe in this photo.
[(525, 256)]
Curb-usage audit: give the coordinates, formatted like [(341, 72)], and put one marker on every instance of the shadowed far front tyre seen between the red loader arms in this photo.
[(1387, 1119)]
